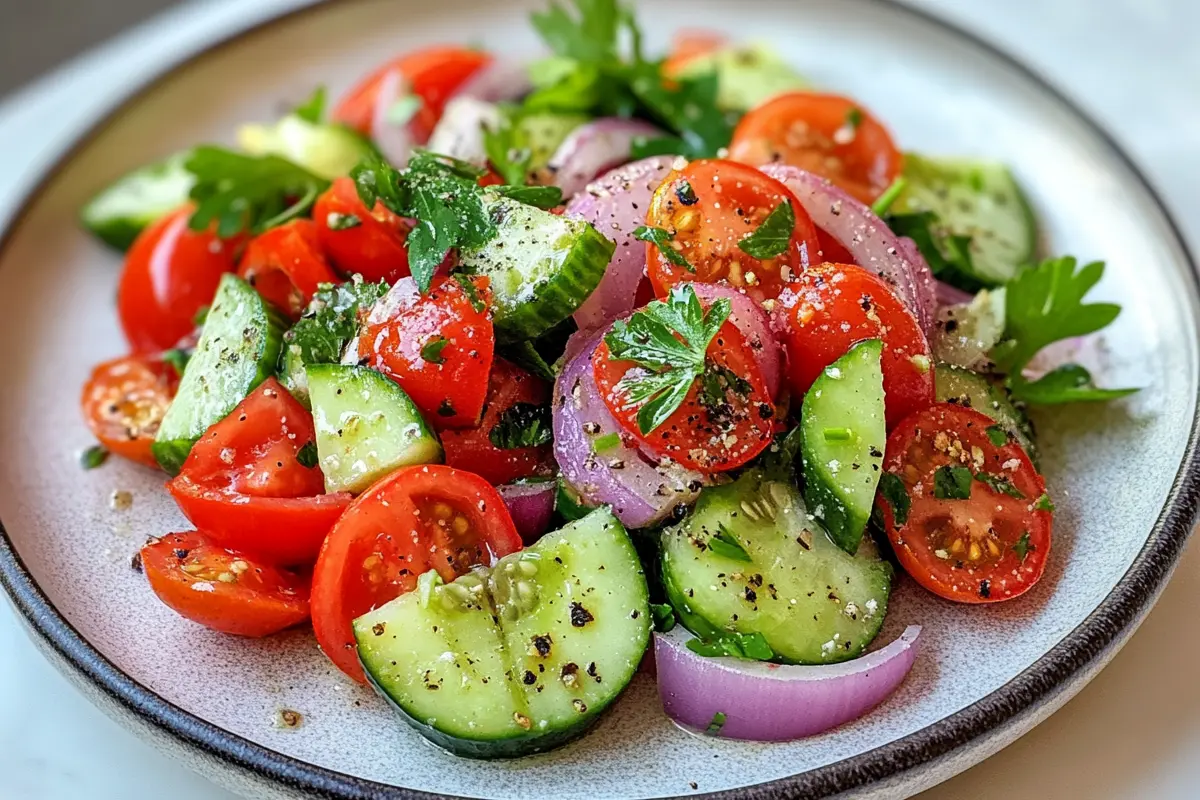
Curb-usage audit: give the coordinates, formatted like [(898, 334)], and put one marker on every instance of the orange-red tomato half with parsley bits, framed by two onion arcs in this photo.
[(731, 201)]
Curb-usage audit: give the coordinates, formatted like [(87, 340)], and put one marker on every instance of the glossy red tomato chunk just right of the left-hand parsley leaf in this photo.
[(374, 249)]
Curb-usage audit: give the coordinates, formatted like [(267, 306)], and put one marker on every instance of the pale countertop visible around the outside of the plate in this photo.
[(1133, 733)]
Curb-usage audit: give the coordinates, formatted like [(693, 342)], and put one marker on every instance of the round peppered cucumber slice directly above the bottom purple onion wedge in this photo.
[(811, 600)]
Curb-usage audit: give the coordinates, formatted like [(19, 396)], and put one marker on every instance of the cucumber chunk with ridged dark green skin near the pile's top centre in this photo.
[(542, 267)]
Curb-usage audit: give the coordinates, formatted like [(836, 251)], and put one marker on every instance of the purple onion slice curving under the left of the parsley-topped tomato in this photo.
[(641, 494)]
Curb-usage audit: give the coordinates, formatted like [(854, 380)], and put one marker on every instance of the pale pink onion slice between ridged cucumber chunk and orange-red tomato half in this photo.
[(616, 206)]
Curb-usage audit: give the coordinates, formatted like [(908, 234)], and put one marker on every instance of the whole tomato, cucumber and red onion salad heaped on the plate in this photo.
[(501, 371)]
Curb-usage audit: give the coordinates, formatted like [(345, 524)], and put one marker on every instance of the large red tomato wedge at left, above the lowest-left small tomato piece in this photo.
[(244, 486)]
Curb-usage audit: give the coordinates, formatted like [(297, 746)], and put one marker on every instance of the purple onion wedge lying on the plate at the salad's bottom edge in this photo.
[(767, 702)]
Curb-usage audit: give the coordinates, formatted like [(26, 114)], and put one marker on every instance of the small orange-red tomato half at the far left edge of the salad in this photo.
[(124, 402)]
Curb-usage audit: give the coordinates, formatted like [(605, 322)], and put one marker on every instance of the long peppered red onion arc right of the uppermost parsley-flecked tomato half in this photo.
[(868, 239)]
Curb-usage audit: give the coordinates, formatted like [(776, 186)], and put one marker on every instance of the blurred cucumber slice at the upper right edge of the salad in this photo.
[(979, 200)]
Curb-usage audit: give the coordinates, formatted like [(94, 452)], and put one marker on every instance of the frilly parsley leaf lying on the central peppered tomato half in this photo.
[(668, 339)]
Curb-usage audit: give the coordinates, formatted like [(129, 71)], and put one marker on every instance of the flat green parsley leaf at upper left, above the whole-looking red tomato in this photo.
[(254, 194)]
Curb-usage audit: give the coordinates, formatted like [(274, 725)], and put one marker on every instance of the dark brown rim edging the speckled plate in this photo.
[(1061, 671)]
